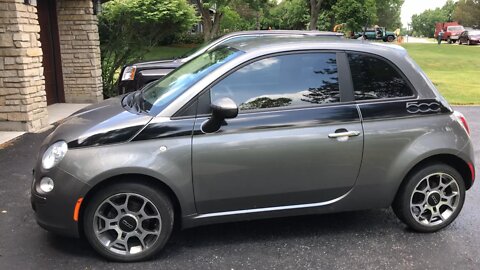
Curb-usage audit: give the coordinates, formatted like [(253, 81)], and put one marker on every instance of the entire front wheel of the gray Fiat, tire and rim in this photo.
[(142, 212)]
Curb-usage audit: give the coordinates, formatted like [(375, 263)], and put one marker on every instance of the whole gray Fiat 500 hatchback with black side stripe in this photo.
[(265, 128)]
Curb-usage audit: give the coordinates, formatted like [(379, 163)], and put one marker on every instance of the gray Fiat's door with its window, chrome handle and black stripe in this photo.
[(295, 143)]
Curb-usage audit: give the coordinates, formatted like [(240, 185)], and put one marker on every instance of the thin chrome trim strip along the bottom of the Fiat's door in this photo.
[(271, 209)]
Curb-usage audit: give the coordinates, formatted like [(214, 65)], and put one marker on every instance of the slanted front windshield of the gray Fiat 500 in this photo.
[(158, 95)]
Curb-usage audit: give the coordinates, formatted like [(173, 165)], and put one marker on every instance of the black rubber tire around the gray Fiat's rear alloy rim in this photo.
[(401, 204)]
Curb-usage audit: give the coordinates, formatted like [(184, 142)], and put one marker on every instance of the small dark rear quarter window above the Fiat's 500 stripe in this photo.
[(375, 78)]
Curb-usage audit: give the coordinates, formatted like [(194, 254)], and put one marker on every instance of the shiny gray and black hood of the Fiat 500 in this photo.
[(107, 122)]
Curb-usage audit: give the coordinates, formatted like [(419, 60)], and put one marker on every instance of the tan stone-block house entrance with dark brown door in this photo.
[(49, 53)]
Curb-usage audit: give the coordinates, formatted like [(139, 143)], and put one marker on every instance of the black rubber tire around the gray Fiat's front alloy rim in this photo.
[(158, 198)]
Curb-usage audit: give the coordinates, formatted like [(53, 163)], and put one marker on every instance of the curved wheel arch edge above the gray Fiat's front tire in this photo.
[(145, 179)]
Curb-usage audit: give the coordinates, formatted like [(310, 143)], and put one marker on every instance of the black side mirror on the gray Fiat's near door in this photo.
[(223, 108)]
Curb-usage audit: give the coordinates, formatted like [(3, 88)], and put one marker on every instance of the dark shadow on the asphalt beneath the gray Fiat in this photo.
[(228, 235)]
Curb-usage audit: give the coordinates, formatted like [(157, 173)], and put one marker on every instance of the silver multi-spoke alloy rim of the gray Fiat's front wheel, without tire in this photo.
[(127, 223)]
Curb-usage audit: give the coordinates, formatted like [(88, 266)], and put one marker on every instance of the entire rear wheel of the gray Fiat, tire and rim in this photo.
[(436, 213)]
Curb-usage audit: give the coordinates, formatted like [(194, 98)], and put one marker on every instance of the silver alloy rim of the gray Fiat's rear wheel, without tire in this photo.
[(435, 199)]
